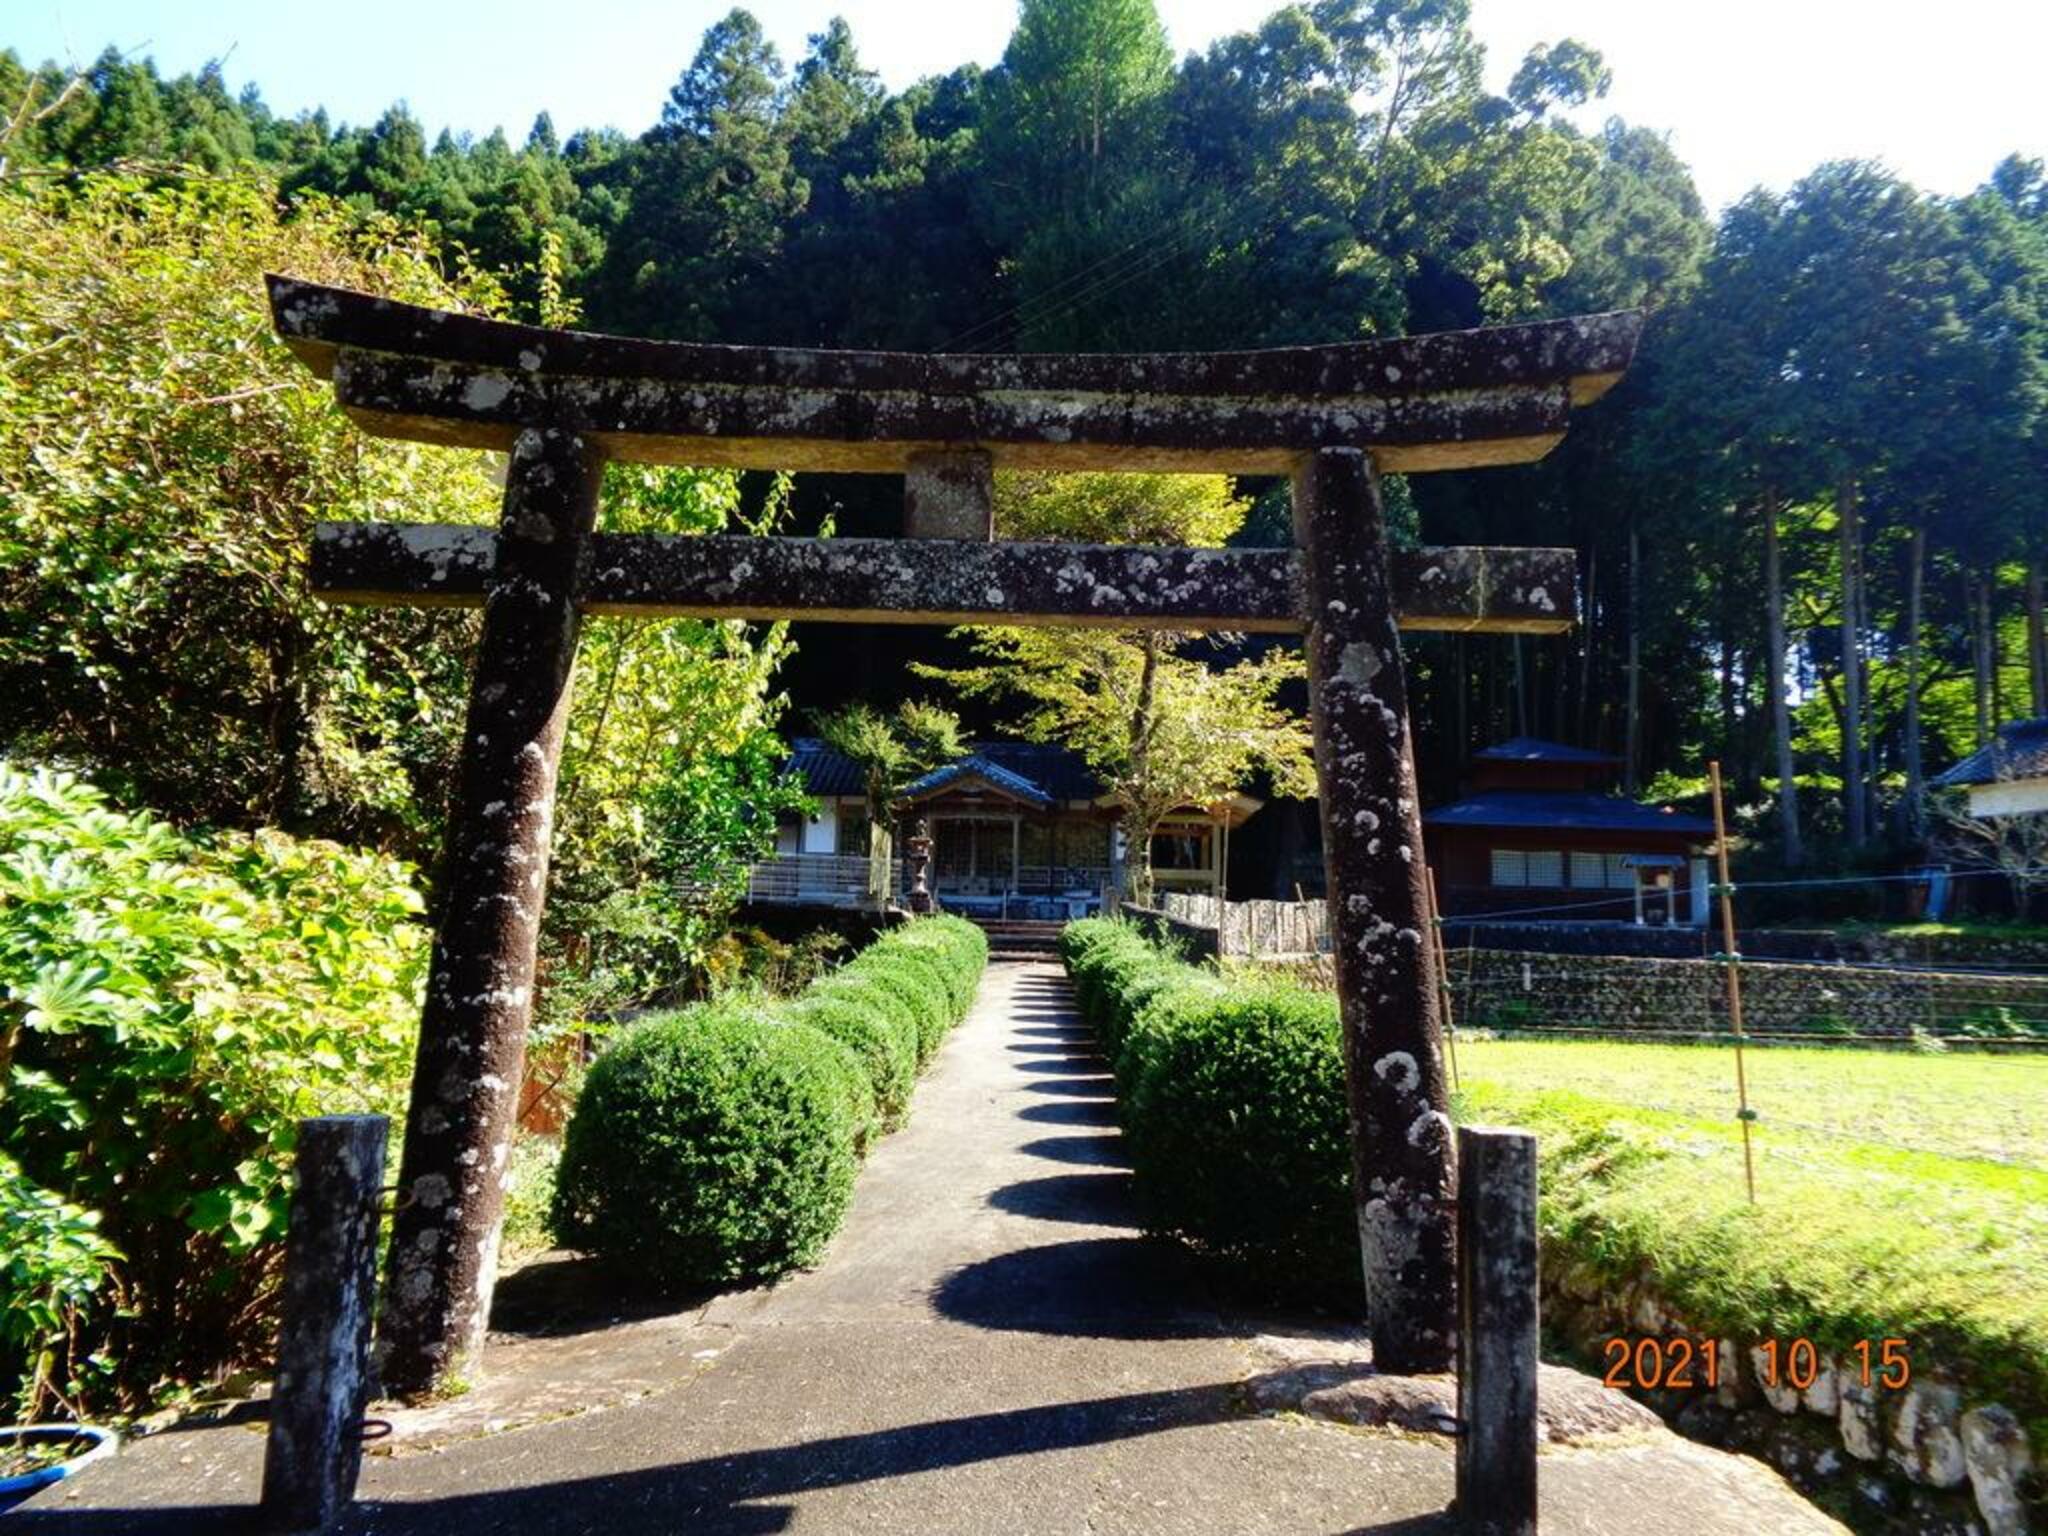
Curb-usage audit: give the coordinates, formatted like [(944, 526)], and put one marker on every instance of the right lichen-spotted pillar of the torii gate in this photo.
[(1379, 914)]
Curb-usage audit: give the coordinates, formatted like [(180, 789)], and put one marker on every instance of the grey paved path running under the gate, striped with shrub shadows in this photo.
[(990, 1347)]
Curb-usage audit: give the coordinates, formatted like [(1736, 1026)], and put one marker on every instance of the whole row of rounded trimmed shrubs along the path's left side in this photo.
[(718, 1146)]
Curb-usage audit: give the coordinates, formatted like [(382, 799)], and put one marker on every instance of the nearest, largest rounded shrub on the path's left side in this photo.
[(710, 1148)]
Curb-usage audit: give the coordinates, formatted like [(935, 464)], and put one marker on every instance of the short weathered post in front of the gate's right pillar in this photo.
[(1496, 1332)]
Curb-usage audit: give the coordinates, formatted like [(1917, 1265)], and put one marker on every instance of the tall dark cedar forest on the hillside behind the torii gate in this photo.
[(1840, 402)]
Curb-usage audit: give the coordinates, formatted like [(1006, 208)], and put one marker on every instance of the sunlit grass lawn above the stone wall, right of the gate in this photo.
[(1897, 1195)]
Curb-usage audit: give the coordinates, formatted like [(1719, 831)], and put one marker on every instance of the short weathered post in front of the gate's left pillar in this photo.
[(325, 1345)]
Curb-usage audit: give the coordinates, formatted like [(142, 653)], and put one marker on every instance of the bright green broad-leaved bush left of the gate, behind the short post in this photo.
[(171, 1009)]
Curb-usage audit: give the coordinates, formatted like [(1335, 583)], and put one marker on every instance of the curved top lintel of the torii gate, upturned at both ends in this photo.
[(1451, 400)]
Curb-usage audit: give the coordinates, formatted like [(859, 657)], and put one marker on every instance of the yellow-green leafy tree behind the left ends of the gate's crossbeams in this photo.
[(163, 460)]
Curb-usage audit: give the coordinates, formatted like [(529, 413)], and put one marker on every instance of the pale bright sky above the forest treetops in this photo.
[(1752, 91)]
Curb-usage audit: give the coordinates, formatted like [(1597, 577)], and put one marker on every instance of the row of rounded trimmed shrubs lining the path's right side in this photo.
[(1234, 1111)]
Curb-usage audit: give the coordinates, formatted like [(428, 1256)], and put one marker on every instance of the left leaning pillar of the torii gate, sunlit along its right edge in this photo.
[(480, 984)]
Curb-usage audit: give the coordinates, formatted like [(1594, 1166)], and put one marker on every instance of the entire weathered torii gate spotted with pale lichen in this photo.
[(560, 404)]
